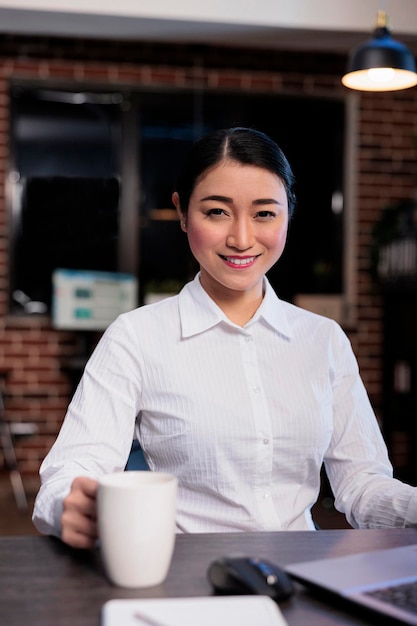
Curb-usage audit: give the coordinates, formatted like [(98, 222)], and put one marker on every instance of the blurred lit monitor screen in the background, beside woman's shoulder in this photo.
[(90, 300)]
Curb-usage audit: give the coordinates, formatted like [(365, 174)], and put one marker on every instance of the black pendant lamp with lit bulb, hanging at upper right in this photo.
[(381, 63)]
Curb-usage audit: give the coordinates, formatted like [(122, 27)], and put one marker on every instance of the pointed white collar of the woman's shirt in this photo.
[(198, 312)]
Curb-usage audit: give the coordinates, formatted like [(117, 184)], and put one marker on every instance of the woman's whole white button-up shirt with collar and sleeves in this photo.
[(244, 417)]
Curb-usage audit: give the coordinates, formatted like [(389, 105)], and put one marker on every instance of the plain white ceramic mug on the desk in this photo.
[(136, 523)]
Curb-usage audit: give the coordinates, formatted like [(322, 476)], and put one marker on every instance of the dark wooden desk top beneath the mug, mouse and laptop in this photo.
[(45, 583)]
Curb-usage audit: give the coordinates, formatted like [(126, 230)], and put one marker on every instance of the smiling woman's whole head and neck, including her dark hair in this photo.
[(236, 217)]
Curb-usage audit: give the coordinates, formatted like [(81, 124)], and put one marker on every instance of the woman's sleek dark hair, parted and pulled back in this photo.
[(243, 145)]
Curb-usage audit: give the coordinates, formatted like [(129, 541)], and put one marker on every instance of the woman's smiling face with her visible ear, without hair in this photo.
[(237, 223)]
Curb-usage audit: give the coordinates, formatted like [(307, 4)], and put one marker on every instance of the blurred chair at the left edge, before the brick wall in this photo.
[(8, 432)]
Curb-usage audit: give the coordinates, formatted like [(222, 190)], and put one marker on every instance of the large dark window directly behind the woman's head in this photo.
[(311, 133)]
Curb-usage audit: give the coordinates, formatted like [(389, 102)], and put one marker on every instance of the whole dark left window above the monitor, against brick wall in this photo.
[(66, 152)]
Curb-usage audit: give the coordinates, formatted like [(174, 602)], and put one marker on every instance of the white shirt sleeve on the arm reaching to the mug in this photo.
[(98, 428)]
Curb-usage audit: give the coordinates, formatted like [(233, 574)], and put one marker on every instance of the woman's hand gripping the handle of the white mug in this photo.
[(79, 515)]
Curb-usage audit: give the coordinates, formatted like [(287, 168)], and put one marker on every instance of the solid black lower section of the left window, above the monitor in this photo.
[(66, 222)]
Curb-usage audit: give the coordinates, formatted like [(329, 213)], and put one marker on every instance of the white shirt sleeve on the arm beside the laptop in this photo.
[(357, 462)]
